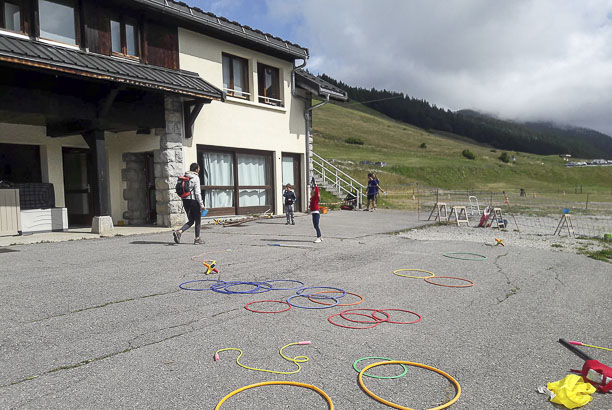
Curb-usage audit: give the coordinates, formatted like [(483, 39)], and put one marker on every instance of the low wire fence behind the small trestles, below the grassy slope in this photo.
[(538, 213)]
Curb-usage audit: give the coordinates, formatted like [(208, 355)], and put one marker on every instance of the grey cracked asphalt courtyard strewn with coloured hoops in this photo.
[(103, 323)]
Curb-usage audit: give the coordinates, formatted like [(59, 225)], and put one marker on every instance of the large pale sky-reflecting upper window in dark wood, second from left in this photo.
[(57, 20)]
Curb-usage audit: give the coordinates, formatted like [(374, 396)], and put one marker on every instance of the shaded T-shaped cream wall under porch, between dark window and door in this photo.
[(51, 163)]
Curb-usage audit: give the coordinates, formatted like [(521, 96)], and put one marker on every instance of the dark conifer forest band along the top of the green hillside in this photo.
[(537, 138)]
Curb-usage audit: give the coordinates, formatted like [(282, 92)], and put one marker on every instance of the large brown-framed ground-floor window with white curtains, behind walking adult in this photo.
[(236, 182)]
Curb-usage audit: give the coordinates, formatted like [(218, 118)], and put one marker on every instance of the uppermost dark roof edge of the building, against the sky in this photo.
[(229, 28)]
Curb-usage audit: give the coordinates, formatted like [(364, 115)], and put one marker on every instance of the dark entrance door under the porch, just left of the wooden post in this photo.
[(77, 189)]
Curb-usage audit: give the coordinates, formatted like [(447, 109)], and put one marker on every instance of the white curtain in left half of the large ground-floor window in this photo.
[(218, 169)]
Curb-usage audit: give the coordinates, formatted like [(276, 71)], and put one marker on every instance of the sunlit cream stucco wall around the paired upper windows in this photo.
[(244, 124)]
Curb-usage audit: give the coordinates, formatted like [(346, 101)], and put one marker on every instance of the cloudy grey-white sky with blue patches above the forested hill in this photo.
[(519, 59)]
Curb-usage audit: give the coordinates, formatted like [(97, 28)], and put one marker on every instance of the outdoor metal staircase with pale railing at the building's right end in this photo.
[(336, 181)]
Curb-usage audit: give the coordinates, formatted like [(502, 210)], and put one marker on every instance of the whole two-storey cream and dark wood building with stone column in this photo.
[(106, 104)]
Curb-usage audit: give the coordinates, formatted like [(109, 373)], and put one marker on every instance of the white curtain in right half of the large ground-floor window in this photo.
[(253, 171)]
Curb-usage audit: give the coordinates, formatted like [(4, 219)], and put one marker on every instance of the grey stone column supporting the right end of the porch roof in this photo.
[(169, 164)]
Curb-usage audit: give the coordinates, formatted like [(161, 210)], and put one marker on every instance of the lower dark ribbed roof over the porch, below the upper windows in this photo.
[(36, 54)]
